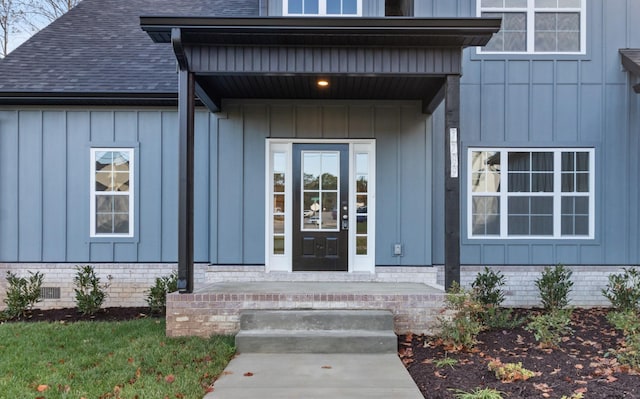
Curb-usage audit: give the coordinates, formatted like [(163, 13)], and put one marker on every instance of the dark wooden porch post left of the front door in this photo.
[(186, 104)]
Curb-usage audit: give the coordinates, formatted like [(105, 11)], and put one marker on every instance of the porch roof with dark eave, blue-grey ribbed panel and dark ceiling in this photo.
[(283, 58)]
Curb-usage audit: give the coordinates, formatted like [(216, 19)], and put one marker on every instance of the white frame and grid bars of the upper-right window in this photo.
[(533, 8)]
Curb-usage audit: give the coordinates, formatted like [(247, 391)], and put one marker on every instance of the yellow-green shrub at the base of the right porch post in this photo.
[(461, 326)]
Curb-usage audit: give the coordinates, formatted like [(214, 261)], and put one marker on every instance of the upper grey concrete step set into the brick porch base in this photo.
[(373, 320)]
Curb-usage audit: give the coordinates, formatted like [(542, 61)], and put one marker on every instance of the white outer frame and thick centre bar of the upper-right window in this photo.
[(530, 11)]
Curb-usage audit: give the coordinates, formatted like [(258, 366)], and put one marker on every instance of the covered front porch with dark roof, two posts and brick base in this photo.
[(380, 59)]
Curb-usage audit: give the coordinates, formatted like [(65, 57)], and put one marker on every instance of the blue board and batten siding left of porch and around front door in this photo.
[(45, 155)]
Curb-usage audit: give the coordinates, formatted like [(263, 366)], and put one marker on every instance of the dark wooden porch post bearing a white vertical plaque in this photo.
[(452, 181)]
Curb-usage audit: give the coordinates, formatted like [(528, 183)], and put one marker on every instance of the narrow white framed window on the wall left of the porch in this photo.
[(112, 192)]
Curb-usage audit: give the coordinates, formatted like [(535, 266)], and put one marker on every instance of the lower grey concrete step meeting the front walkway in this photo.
[(316, 341)]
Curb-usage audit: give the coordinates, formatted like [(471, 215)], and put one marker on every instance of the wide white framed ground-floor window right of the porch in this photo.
[(531, 193)]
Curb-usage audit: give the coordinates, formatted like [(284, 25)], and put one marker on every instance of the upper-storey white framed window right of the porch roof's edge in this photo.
[(536, 26)]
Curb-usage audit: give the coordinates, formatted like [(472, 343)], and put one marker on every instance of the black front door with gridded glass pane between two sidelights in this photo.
[(320, 207)]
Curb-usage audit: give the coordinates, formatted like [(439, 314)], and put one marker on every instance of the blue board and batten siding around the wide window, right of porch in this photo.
[(555, 101)]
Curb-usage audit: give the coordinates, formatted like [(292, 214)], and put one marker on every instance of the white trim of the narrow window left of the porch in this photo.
[(93, 193)]
